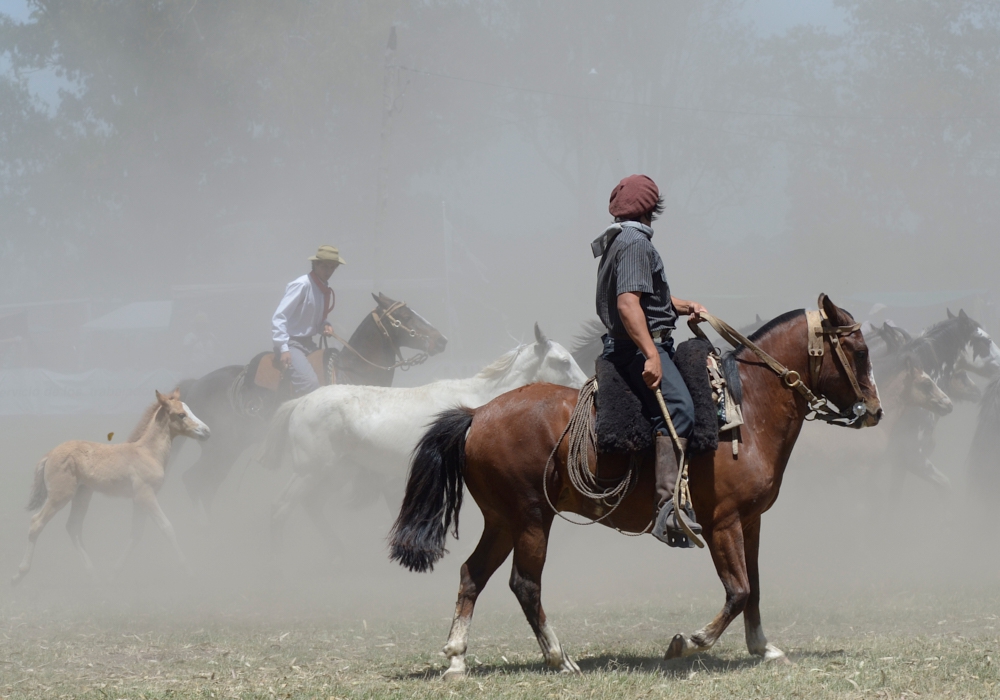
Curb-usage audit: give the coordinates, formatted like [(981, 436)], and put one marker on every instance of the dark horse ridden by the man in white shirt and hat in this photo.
[(238, 411)]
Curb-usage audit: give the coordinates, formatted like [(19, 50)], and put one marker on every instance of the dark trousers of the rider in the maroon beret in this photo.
[(629, 360)]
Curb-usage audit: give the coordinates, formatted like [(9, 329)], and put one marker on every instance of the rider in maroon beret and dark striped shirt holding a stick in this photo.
[(635, 305)]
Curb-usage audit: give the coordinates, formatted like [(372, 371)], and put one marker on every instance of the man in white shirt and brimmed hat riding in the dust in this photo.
[(301, 315)]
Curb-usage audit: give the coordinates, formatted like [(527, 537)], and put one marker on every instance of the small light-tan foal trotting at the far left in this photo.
[(135, 469)]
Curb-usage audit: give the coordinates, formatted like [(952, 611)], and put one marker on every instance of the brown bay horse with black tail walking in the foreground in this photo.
[(500, 452)]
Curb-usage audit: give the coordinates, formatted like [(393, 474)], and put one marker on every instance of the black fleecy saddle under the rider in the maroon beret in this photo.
[(713, 381)]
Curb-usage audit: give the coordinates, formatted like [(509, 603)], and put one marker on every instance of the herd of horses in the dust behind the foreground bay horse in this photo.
[(359, 435)]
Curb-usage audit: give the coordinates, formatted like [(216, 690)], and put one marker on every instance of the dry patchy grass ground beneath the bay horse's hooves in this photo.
[(877, 646)]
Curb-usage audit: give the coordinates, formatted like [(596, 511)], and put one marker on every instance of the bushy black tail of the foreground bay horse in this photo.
[(433, 493)]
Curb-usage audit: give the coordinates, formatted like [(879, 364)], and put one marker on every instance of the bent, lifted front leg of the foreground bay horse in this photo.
[(726, 545)]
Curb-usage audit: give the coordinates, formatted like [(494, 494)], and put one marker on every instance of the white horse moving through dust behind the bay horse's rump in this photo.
[(340, 434)]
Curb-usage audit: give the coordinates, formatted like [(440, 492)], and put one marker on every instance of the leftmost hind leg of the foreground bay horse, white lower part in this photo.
[(493, 548)]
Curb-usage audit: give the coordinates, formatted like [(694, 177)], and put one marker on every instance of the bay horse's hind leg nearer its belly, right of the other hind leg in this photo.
[(526, 582)]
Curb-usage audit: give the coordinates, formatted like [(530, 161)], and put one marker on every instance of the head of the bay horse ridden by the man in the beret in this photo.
[(834, 378)]
